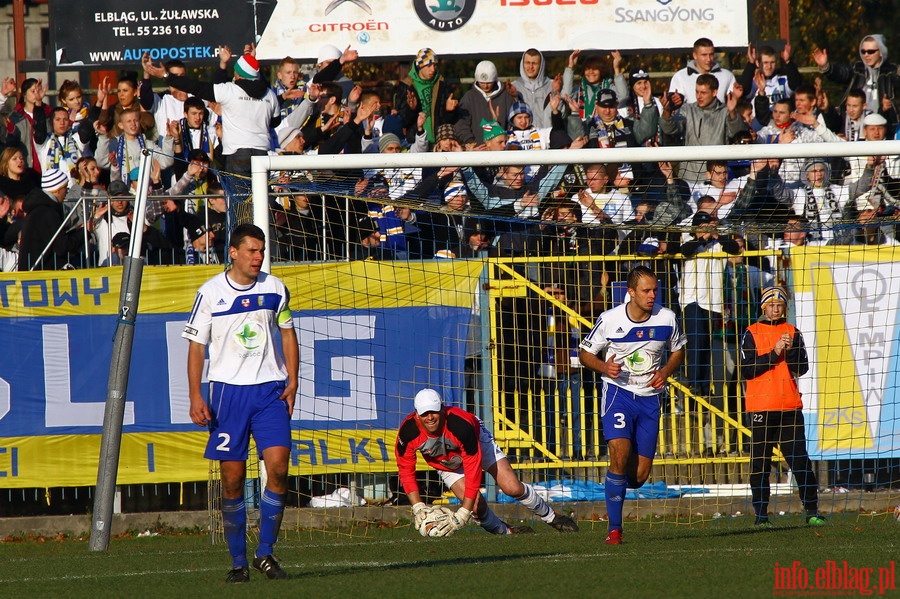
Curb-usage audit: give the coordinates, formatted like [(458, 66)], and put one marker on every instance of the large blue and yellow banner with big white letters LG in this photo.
[(402, 327)]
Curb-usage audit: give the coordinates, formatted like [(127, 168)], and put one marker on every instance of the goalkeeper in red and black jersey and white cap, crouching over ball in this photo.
[(456, 444)]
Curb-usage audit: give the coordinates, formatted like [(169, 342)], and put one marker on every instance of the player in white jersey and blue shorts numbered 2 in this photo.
[(241, 314)]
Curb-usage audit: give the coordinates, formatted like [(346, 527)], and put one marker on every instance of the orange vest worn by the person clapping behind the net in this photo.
[(775, 389)]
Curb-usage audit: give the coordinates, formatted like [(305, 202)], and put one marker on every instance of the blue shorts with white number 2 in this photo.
[(241, 410)]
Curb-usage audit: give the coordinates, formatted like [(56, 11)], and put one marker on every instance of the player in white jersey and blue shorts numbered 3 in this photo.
[(636, 336)]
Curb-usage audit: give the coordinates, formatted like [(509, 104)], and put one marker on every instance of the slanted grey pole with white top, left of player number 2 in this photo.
[(119, 367)]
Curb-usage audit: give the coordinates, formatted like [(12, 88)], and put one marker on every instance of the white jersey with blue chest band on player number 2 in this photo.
[(240, 326)]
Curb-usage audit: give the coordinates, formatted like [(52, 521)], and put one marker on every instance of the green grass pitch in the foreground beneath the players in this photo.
[(722, 558)]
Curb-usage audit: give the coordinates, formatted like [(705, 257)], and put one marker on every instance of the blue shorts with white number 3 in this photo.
[(629, 416)]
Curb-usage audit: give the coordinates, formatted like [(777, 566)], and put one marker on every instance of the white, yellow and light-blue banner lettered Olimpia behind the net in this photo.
[(847, 310)]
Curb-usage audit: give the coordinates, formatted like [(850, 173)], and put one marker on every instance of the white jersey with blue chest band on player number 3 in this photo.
[(638, 346)]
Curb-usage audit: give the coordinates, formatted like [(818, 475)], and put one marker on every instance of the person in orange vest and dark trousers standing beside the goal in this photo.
[(773, 356)]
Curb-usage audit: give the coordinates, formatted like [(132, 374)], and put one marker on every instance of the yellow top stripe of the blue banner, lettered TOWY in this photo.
[(344, 285)]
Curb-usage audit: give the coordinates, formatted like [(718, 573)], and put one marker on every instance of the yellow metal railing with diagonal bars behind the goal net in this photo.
[(692, 429)]
